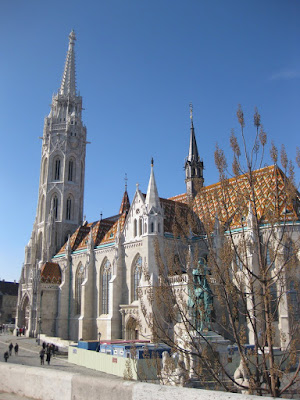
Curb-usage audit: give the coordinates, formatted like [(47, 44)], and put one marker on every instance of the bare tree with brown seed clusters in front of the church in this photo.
[(232, 268)]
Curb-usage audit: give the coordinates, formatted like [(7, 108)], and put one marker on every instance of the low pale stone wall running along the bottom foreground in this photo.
[(43, 384)]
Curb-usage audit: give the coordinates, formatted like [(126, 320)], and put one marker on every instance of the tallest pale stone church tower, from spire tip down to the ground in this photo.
[(61, 190)]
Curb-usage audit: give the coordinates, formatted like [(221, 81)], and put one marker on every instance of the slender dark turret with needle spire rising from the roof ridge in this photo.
[(193, 165)]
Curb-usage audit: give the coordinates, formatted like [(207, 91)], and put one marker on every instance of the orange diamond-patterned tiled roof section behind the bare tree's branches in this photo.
[(230, 203)]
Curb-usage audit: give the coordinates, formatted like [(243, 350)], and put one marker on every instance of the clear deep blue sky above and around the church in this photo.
[(139, 65)]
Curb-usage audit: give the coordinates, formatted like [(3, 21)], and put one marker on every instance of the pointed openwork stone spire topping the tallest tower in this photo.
[(68, 83)]
